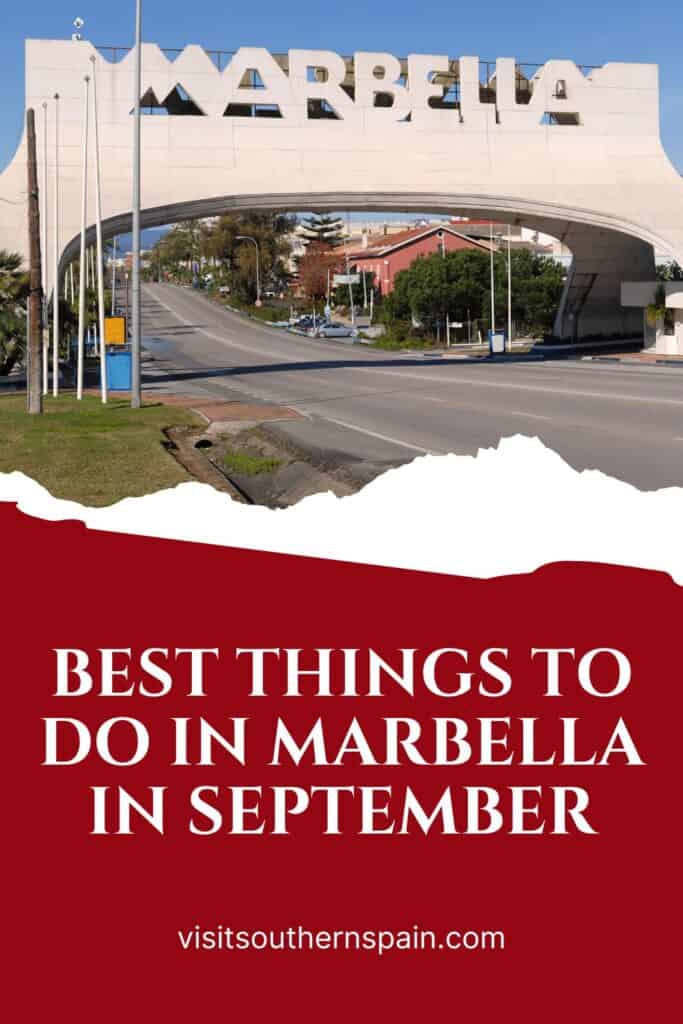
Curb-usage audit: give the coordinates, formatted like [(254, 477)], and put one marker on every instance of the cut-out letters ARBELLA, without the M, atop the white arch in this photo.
[(375, 90)]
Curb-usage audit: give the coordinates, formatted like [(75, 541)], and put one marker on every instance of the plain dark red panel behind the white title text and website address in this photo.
[(91, 924)]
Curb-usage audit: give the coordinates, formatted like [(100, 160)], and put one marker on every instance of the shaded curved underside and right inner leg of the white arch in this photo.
[(606, 250)]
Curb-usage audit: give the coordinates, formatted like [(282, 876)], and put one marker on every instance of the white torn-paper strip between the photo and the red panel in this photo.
[(509, 509)]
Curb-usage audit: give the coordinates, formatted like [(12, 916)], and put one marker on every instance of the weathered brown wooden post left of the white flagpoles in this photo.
[(34, 382)]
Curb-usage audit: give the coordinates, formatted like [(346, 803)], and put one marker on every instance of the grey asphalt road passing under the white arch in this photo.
[(372, 409)]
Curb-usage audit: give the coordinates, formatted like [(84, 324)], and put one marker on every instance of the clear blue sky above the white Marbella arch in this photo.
[(587, 31)]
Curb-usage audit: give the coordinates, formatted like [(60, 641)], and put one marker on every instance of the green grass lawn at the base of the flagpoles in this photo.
[(92, 453)]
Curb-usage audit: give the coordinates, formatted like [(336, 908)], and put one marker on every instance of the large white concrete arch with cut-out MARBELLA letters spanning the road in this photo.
[(572, 152)]
